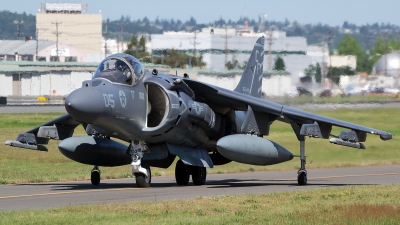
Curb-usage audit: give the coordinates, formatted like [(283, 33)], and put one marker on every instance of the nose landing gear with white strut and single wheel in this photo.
[(141, 172)]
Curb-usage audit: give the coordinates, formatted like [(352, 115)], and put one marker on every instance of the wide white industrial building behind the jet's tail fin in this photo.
[(219, 46)]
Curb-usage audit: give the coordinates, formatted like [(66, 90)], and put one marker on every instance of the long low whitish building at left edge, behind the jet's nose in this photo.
[(25, 78)]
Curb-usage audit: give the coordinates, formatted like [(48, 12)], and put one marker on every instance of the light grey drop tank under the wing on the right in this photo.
[(252, 150)]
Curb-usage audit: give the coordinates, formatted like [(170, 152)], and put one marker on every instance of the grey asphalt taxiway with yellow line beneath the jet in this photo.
[(48, 195)]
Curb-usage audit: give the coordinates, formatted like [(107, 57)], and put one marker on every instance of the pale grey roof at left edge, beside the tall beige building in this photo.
[(10, 47)]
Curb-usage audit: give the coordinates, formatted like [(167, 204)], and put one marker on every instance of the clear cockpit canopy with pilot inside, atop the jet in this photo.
[(120, 68)]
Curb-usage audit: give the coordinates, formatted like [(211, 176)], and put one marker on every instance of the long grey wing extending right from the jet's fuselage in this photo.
[(224, 98)]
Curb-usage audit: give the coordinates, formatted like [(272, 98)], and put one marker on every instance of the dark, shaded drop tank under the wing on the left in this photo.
[(95, 151)]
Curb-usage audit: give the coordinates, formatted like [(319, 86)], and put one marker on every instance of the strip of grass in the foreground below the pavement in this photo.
[(344, 205)]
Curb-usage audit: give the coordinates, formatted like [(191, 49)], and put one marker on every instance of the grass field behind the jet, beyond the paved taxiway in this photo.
[(21, 166)]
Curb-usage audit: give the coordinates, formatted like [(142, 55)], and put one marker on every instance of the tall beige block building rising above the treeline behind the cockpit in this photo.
[(72, 25)]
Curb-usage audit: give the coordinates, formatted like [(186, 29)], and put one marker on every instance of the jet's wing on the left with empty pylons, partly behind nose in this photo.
[(59, 129)]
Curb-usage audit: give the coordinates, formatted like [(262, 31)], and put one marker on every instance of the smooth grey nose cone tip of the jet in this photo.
[(85, 104)]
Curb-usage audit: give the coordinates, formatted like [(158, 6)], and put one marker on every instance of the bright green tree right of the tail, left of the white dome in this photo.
[(350, 46)]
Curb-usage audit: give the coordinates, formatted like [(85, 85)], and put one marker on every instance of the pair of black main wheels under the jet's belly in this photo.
[(183, 172)]
